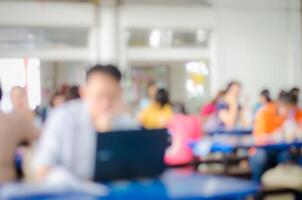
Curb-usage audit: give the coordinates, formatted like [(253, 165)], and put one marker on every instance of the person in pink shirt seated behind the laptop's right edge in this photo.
[(183, 129)]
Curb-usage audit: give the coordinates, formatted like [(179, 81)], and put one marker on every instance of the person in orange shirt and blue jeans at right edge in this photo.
[(273, 122)]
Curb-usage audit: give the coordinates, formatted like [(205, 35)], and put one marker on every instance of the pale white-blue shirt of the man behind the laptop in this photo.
[(69, 139)]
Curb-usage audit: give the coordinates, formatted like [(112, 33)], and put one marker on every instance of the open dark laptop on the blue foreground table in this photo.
[(130, 154)]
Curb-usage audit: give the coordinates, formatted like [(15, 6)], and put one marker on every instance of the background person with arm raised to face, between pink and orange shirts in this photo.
[(230, 113)]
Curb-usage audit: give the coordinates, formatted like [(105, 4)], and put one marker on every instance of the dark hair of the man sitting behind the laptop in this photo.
[(110, 70)]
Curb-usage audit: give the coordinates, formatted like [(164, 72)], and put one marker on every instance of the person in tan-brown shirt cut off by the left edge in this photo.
[(15, 129)]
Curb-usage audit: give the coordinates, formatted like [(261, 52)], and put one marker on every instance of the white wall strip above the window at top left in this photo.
[(45, 13)]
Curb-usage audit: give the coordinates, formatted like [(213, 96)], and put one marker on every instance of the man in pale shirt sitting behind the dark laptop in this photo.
[(68, 142)]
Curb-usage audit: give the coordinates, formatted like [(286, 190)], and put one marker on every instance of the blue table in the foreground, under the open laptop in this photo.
[(171, 185)]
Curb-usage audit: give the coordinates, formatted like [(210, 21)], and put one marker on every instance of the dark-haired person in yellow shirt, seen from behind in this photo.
[(158, 113)]
